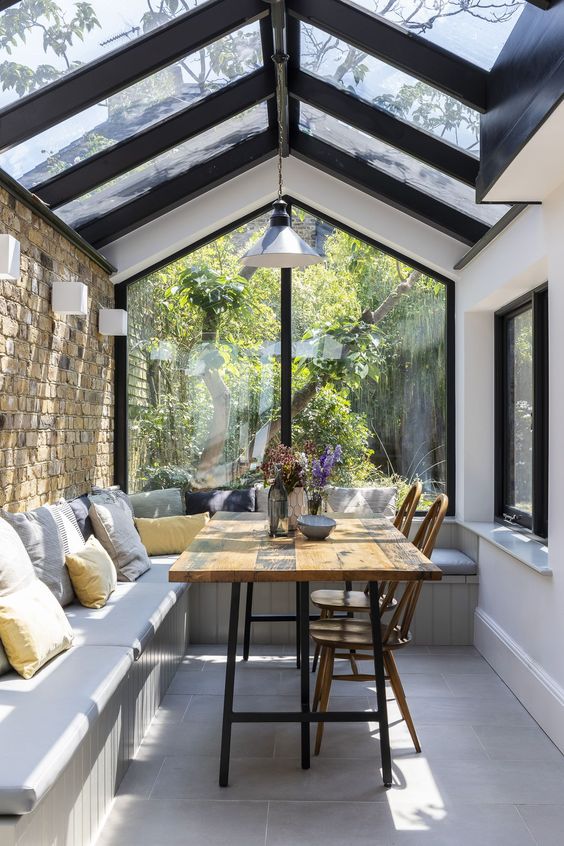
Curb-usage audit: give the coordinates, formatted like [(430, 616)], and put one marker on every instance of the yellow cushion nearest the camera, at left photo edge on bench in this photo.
[(33, 628)]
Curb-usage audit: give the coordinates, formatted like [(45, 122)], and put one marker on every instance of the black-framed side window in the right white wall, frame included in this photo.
[(522, 413)]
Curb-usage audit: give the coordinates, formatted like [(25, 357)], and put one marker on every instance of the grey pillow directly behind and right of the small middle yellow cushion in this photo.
[(115, 529)]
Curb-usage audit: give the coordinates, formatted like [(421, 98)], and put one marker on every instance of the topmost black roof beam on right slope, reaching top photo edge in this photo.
[(432, 64)]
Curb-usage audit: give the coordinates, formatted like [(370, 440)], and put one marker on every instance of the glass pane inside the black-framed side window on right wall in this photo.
[(519, 411)]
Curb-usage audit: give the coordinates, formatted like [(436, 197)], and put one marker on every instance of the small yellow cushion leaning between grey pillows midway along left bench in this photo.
[(93, 574)]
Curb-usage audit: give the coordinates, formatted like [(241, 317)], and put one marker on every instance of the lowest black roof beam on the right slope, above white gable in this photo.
[(386, 188)]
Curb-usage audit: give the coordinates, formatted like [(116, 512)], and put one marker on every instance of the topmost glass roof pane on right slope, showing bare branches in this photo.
[(476, 30)]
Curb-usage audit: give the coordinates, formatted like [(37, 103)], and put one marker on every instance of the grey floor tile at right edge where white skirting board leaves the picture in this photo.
[(511, 743)]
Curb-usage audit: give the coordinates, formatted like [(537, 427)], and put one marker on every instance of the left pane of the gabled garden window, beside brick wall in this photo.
[(202, 416)]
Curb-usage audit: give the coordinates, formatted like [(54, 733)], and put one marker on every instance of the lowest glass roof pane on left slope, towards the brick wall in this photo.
[(139, 181)]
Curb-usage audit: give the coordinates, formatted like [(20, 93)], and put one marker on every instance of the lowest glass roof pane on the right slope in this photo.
[(397, 164)]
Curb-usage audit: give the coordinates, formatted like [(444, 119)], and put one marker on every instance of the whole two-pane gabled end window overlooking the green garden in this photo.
[(369, 361)]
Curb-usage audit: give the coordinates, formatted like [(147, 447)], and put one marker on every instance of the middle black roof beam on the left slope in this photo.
[(157, 139)]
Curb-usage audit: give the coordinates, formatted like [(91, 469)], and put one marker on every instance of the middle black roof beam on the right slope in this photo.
[(380, 124)]
